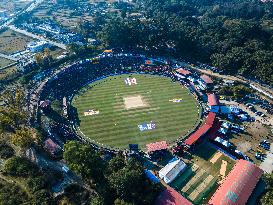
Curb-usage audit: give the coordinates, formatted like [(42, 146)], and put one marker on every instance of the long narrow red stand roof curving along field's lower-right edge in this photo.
[(202, 130)]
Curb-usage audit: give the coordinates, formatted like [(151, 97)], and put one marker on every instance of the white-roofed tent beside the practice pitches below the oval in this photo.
[(172, 170)]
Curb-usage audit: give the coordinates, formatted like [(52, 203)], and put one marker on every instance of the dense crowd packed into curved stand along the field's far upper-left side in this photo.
[(78, 75)]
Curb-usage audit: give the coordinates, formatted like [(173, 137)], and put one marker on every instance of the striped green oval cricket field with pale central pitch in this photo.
[(110, 111)]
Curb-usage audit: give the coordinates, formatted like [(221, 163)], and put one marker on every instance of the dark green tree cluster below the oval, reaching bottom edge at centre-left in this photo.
[(117, 181)]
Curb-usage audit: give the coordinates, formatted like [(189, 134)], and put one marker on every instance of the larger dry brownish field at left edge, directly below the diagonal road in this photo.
[(11, 42)]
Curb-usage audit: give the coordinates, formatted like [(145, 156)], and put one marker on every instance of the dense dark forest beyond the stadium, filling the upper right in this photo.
[(234, 35)]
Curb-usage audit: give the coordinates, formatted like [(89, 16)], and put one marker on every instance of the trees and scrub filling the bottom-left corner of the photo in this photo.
[(35, 182)]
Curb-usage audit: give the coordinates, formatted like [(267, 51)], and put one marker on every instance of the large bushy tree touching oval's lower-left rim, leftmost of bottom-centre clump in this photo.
[(84, 160)]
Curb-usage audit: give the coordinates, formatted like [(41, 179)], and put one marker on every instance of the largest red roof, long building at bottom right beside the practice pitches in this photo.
[(238, 185)]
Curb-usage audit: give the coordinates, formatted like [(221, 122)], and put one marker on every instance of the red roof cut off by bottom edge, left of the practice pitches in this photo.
[(171, 197)]
